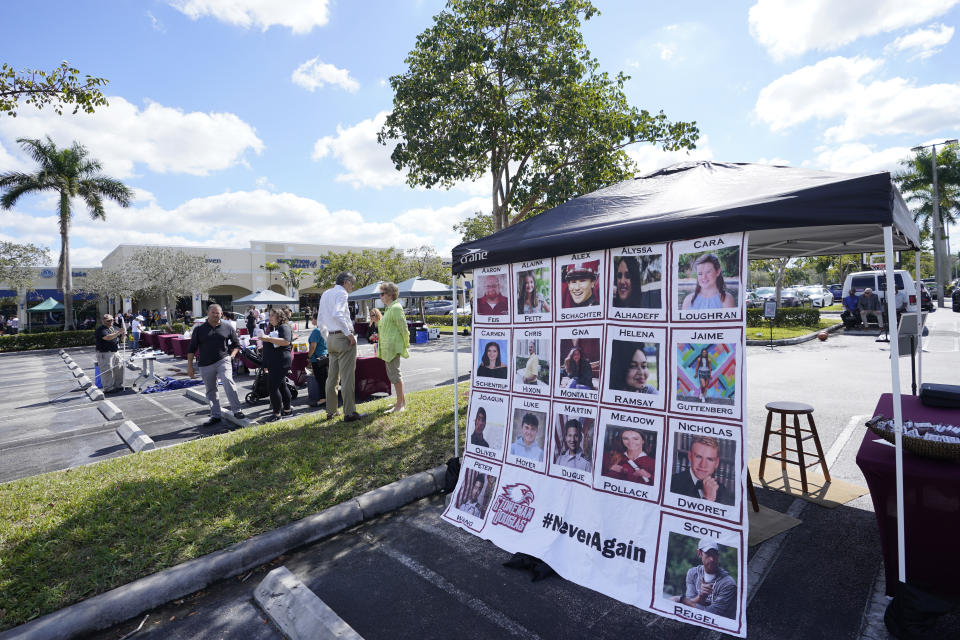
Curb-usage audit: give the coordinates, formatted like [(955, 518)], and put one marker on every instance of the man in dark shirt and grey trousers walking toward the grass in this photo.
[(214, 343)]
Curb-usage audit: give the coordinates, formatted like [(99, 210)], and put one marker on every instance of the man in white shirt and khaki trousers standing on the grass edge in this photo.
[(333, 319)]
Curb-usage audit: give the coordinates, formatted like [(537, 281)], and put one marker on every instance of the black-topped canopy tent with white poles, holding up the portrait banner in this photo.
[(788, 212)]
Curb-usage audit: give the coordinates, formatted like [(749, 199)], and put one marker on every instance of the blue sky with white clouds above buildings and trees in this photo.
[(235, 120)]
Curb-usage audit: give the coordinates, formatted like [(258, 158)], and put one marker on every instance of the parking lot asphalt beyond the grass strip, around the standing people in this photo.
[(47, 423)]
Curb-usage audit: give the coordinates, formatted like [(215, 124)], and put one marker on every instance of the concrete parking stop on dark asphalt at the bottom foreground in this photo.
[(297, 610)]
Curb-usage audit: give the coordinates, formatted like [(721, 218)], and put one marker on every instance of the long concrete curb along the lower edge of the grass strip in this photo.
[(127, 601)]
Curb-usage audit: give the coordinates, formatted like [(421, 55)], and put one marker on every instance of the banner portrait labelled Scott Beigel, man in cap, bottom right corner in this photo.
[(699, 573)]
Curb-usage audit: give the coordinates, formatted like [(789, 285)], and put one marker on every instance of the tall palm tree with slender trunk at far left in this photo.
[(72, 174)]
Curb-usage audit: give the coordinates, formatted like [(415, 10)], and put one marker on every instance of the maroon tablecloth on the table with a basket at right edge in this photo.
[(931, 502)]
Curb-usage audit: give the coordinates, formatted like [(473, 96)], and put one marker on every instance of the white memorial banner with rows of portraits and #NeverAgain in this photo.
[(606, 423)]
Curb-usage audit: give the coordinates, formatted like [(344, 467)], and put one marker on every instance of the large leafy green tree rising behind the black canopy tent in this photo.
[(508, 91)]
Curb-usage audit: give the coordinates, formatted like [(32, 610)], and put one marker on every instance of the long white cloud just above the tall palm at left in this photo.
[(121, 136)]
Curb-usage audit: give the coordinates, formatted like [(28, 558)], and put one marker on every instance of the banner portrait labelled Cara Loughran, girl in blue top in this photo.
[(707, 281)]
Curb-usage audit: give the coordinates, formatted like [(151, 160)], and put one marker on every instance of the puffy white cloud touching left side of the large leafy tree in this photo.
[(367, 162)]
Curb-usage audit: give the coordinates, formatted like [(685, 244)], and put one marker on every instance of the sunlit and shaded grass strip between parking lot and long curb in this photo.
[(69, 535)]
